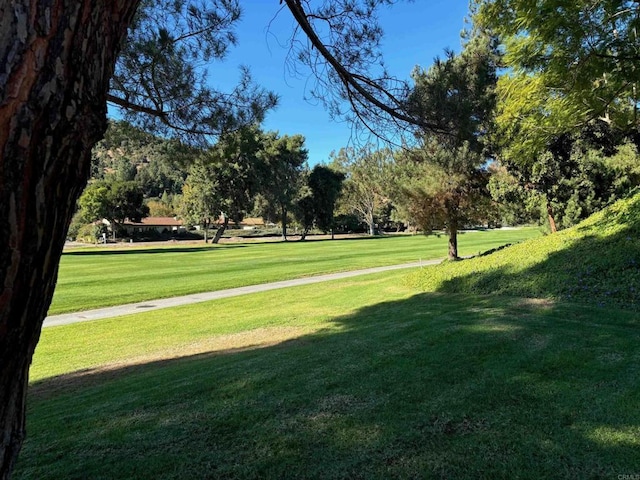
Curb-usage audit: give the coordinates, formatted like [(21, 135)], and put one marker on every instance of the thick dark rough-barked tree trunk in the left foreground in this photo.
[(57, 58)]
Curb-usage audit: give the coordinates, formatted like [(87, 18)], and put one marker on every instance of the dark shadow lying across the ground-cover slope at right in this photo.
[(602, 270)]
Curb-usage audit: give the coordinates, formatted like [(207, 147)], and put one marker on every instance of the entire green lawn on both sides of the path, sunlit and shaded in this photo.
[(371, 377)]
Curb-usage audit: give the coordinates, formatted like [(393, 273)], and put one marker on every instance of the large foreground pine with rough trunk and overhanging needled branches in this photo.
[(62, 60)]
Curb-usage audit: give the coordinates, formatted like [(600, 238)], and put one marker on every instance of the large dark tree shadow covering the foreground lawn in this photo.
[(429, 387)]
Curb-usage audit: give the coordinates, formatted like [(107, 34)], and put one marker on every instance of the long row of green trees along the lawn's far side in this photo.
[(462, 170)]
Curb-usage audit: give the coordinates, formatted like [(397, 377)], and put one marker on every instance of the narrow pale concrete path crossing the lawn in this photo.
[(130, 308)]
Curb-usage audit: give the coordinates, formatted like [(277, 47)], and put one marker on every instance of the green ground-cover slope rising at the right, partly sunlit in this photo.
[(597, 262)]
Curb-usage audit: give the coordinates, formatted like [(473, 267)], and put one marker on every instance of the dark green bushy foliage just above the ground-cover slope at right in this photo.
[(576, 175)]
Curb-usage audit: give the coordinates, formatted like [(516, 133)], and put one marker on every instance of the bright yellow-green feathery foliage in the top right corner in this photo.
[(569, 62)]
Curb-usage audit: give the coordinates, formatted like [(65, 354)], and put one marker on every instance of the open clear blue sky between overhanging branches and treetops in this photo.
[(415, 33)]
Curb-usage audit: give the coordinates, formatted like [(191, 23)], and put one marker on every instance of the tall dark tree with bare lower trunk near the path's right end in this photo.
[(456, 94)]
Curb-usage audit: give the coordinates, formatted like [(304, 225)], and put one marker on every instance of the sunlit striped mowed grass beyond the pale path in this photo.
[(92, 278)]
